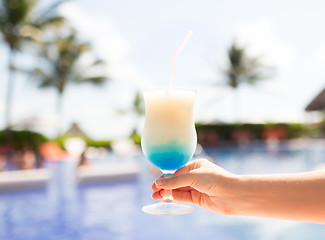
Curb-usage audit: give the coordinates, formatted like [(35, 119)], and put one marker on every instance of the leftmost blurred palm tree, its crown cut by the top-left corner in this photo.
[(20, 21)]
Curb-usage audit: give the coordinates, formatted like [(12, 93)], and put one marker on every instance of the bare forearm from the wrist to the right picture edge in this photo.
[(290, 196)]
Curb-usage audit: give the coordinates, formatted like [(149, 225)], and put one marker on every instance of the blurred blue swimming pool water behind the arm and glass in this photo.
[(113, 210)]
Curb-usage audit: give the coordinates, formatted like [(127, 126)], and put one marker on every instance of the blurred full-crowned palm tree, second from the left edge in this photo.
[(62, 66)]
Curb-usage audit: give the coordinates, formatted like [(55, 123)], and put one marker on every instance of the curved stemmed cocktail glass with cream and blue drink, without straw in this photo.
[(169, 139)]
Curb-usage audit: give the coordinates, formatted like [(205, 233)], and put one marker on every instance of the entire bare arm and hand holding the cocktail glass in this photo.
[(295, 196)]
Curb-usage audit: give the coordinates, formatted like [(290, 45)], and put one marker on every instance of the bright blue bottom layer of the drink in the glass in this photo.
[(168, 157)]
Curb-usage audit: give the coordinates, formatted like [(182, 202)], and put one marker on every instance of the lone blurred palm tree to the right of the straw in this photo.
[(242, 68)]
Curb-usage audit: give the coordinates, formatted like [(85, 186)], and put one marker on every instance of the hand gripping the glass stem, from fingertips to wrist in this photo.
[(199, 182)]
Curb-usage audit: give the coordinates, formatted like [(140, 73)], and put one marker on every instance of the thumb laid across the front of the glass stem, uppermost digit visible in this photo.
[(173, 182)]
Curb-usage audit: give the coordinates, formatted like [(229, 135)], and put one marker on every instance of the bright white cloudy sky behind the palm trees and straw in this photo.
[(138, 40)]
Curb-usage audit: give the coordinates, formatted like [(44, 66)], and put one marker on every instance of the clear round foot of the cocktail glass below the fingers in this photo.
[(167, 208)]
